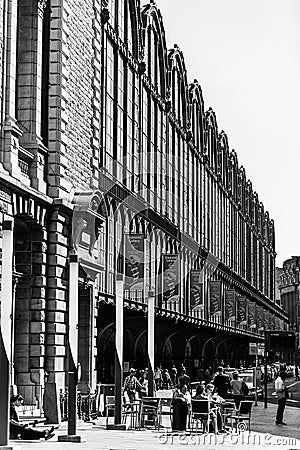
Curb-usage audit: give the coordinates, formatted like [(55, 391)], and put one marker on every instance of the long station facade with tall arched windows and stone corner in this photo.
[(104, 140)]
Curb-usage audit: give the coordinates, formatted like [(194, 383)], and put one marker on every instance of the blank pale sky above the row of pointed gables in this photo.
[(245, 54)]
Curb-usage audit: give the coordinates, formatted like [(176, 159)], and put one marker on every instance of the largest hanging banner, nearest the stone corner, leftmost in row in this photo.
[(134, 262)]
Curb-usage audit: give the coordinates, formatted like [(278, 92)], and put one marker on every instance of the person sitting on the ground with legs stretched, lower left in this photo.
[(20, 431)]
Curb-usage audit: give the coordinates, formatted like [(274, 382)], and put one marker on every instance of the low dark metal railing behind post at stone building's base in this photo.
[(87, 408)]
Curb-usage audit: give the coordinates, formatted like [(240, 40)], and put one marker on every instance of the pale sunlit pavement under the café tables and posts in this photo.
[(264, 434)]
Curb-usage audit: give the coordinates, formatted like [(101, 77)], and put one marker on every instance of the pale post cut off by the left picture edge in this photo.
[(6, 329)]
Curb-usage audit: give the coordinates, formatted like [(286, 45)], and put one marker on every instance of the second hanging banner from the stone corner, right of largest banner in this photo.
[(170, 274)]
